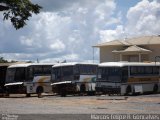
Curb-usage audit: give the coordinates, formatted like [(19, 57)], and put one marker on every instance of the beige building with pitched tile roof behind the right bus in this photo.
[(138, 49)]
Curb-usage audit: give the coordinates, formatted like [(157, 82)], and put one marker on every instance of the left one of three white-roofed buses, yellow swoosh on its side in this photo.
[(29, 78)]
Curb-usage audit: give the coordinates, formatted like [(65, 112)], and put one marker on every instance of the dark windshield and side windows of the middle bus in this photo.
[(70, 73)]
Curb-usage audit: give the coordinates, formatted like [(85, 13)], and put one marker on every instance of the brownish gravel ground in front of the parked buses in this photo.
[(143, 104)]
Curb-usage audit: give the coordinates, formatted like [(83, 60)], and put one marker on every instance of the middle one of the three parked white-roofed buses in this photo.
[(73, 78)]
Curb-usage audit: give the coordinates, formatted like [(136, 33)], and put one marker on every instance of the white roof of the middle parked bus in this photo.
[(72, 64)]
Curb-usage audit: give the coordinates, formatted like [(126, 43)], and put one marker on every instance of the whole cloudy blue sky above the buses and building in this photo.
[(67, 29)]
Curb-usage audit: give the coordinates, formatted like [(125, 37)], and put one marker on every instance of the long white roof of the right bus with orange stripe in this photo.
[(122, 64)]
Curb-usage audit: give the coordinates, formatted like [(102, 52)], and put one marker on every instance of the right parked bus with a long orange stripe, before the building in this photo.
[(126, 78)]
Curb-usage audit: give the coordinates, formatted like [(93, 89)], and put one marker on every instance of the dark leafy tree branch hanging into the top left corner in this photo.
[(18, 11)]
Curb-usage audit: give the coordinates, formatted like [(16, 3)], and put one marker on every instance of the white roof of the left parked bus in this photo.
[(30, 64)]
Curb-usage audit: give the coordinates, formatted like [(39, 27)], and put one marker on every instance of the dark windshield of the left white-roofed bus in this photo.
[(15, 75)]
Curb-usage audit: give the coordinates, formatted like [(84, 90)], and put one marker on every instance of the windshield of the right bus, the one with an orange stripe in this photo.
[(110, 74)]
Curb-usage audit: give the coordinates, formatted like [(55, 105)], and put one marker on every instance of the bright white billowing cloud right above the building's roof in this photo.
[(142, 19)]
